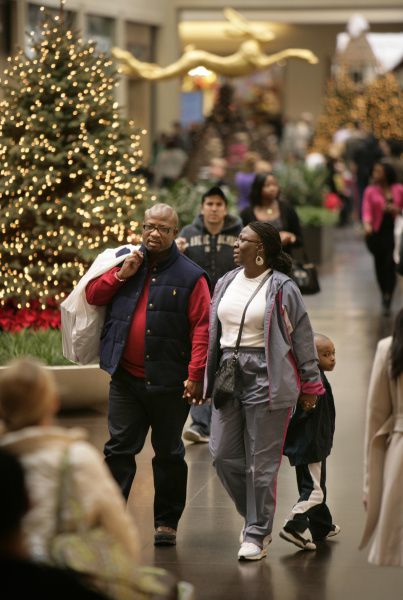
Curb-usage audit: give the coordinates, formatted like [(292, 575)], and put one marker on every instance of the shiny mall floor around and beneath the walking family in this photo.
[(348, 311)]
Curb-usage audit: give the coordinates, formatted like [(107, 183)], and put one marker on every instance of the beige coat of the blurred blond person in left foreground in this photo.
[(40, 450)]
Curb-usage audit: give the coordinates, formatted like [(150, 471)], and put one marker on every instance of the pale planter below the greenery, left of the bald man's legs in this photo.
[(81, 386)]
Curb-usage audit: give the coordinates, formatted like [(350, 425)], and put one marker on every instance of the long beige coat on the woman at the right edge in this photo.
[(383, 468)]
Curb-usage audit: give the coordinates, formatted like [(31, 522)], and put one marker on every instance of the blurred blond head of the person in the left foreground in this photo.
[(28, 394)]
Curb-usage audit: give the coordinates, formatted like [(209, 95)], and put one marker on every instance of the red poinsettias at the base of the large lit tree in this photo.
[(14, 319)]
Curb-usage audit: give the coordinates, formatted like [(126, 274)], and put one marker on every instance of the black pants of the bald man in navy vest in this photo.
[(132, 411)]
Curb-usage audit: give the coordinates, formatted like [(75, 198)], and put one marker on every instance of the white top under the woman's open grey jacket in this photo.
[(232, 306)]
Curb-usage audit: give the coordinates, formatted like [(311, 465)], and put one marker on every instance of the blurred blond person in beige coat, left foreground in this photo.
[(28, 404)]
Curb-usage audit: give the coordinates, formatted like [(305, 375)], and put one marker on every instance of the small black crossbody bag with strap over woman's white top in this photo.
[(225, 380)]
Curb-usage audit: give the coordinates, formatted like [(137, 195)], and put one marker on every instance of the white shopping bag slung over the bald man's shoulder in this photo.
[(81, 322)]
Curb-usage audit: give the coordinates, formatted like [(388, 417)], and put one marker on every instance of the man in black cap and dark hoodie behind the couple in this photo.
[(209, 242)]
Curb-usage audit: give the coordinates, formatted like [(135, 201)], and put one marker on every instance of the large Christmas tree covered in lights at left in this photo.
[(68, 161)]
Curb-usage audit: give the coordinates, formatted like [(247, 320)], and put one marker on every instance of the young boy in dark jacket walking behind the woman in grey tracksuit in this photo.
[(308, 443)]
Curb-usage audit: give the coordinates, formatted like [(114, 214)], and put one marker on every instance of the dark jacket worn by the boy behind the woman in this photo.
[(310, 434)]
